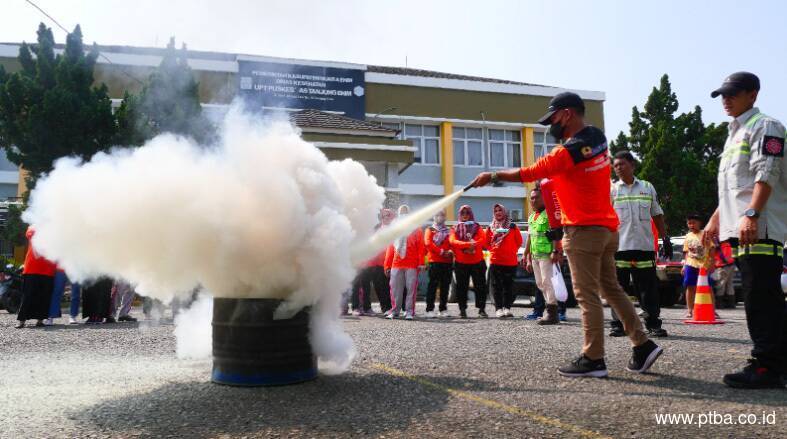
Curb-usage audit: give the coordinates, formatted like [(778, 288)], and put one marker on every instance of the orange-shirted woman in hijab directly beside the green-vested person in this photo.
[(503, 241)]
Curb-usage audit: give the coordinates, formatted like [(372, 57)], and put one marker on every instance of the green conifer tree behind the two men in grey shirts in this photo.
[(679, 154)]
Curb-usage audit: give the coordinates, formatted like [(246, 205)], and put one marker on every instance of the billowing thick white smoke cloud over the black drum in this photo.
[(264, 214)]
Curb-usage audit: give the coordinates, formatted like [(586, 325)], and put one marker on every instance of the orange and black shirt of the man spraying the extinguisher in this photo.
[(580, 169)]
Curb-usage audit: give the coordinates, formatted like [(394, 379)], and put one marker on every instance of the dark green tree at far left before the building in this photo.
[(50, 108)]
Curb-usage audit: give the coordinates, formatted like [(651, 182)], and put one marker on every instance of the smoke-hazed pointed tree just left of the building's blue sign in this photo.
[(169, 102)]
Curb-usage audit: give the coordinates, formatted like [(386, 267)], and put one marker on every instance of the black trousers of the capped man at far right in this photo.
[(766, 313)]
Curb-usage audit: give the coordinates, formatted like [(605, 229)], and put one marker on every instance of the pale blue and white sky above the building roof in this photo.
[(619, 47)]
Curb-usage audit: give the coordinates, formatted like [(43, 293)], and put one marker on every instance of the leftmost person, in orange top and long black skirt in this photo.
[(38, 282)]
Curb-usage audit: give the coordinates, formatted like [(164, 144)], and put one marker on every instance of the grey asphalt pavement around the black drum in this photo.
[(421, 378)]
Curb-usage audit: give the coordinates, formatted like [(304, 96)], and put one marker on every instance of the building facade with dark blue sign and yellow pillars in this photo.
[(422, 134)]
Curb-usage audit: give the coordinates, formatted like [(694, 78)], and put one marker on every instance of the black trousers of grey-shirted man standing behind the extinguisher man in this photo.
[(645, 282)]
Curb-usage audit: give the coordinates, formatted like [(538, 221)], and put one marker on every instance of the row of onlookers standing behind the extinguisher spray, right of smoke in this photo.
[(461, 251)]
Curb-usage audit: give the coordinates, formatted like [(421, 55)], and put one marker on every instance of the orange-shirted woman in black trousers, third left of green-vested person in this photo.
[(440, 259)]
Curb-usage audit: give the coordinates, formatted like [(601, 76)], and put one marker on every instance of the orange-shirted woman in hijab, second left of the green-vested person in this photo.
[(467, 241)]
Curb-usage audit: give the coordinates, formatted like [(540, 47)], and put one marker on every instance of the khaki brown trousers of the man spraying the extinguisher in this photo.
[(591, 257)]
